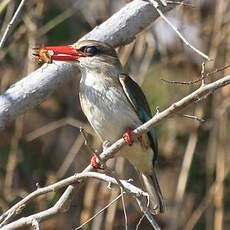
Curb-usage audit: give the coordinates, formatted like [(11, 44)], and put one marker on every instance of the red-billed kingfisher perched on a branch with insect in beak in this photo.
[(114, 104)]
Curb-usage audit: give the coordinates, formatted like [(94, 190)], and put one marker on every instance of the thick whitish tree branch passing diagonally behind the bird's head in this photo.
[(120, 29)]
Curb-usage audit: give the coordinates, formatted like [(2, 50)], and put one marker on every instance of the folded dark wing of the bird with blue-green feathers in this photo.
[(138, 101)]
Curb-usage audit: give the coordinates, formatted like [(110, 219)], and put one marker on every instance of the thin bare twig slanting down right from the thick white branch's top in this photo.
[(156, 5)]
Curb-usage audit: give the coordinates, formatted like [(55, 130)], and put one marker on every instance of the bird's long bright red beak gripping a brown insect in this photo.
[(58, 53)]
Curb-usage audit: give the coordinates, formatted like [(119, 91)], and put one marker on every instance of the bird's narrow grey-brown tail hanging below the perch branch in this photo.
[(155, 196)]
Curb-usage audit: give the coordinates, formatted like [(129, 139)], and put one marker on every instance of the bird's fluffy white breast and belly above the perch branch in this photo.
[(106, 107)]
